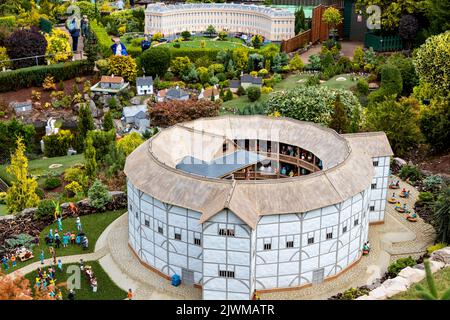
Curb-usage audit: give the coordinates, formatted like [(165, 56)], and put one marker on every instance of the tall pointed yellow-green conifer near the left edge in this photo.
[(22, 193)]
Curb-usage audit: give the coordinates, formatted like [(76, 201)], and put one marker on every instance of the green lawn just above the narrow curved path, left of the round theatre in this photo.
[(93, 225)]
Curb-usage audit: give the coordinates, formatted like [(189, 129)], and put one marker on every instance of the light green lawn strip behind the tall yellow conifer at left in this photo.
[(41, 166)]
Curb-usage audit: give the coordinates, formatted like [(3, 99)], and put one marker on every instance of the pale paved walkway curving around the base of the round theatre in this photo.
[(396, 238)]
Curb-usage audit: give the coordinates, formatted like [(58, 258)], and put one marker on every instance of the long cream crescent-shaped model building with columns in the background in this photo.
[(273, 24)]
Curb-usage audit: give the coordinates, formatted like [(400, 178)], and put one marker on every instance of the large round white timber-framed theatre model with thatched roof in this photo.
[(239, 204)]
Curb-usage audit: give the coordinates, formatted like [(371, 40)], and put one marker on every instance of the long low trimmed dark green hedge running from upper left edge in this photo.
[(34, 76)]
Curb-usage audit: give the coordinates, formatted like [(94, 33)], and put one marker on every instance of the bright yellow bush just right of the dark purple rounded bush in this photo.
[(58, 46)]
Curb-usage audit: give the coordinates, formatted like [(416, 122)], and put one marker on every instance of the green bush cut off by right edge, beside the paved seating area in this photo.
[(441, 216)]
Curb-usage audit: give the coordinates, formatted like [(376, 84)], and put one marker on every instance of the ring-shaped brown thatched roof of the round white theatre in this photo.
[(347, 167)]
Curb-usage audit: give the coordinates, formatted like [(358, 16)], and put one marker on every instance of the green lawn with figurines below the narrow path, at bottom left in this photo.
[(106, 290)]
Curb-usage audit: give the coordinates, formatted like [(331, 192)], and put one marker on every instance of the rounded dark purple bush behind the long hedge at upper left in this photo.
[(25, 43)]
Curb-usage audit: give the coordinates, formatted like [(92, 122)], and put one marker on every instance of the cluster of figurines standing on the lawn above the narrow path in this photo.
[(54, 238)]
